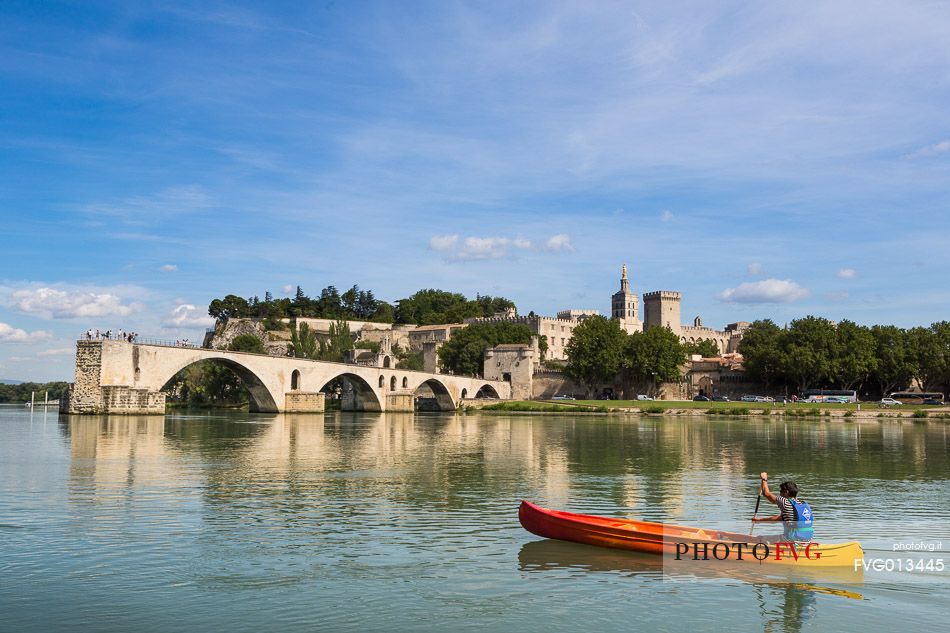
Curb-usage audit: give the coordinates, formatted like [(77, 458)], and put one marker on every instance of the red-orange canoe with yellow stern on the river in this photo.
[(660, 538)]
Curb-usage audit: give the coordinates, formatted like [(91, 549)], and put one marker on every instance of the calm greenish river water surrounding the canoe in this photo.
[(375, 522)]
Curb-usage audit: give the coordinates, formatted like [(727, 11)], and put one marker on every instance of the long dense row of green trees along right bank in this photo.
[(813, 352)]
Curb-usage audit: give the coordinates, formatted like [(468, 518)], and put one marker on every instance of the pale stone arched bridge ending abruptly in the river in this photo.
[(122, 377)]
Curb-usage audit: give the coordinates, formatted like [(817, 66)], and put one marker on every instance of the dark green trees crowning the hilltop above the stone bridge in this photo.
[(425, 307)]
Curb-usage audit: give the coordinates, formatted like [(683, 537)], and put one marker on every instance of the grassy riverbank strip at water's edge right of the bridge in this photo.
[(862, 411)]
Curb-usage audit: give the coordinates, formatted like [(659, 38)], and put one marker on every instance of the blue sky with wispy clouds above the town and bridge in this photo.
[(767, 159)]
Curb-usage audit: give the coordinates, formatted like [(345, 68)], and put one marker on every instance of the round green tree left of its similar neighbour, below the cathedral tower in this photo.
[(595, 352)]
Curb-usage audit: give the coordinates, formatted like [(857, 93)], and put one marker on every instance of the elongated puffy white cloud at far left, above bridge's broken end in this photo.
[(53, 303)]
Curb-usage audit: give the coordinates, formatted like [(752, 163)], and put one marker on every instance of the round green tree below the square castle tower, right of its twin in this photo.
[(654, 356)]
